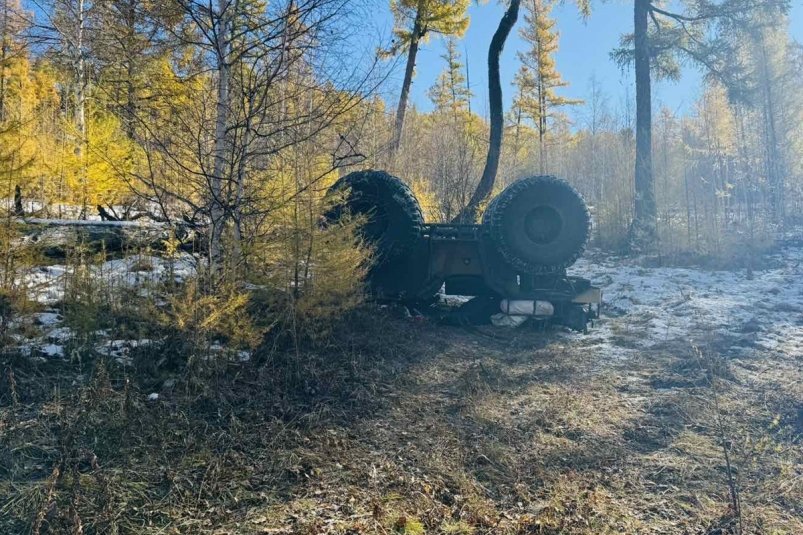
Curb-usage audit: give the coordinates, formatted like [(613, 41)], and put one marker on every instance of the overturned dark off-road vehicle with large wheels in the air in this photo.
[(513, 262)]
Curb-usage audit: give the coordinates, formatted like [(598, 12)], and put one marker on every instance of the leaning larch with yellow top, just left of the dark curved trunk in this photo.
[(415, 21)]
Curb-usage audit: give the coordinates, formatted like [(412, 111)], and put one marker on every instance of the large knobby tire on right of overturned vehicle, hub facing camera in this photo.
[(539, 225)]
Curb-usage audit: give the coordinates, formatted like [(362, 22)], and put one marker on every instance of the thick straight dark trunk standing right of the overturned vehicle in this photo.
[(643, 229)]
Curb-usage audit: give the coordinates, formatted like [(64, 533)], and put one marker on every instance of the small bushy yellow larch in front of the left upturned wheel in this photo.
[(316, 269)]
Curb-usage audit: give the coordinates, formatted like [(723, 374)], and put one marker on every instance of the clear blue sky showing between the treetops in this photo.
[(585, 46)]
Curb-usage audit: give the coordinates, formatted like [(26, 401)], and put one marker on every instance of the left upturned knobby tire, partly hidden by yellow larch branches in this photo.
[(394, 221)]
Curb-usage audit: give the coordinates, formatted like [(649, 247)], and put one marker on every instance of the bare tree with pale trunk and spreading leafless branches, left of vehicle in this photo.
[(268, 84)]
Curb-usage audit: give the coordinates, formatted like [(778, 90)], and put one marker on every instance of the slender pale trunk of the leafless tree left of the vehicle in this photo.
[(217, 206)]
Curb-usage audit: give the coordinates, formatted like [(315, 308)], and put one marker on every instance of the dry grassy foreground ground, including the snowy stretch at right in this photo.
[(681, 412)]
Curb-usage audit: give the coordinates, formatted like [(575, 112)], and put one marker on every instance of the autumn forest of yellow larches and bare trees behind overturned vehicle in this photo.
[(236, 115)]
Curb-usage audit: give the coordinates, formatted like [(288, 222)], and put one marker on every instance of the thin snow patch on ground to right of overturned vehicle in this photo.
[(645, 307)]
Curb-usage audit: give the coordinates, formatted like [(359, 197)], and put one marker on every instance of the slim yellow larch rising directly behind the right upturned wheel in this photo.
[(538, 77)]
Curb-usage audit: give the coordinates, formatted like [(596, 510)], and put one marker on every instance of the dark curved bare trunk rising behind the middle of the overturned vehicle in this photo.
[(486, 184)]
